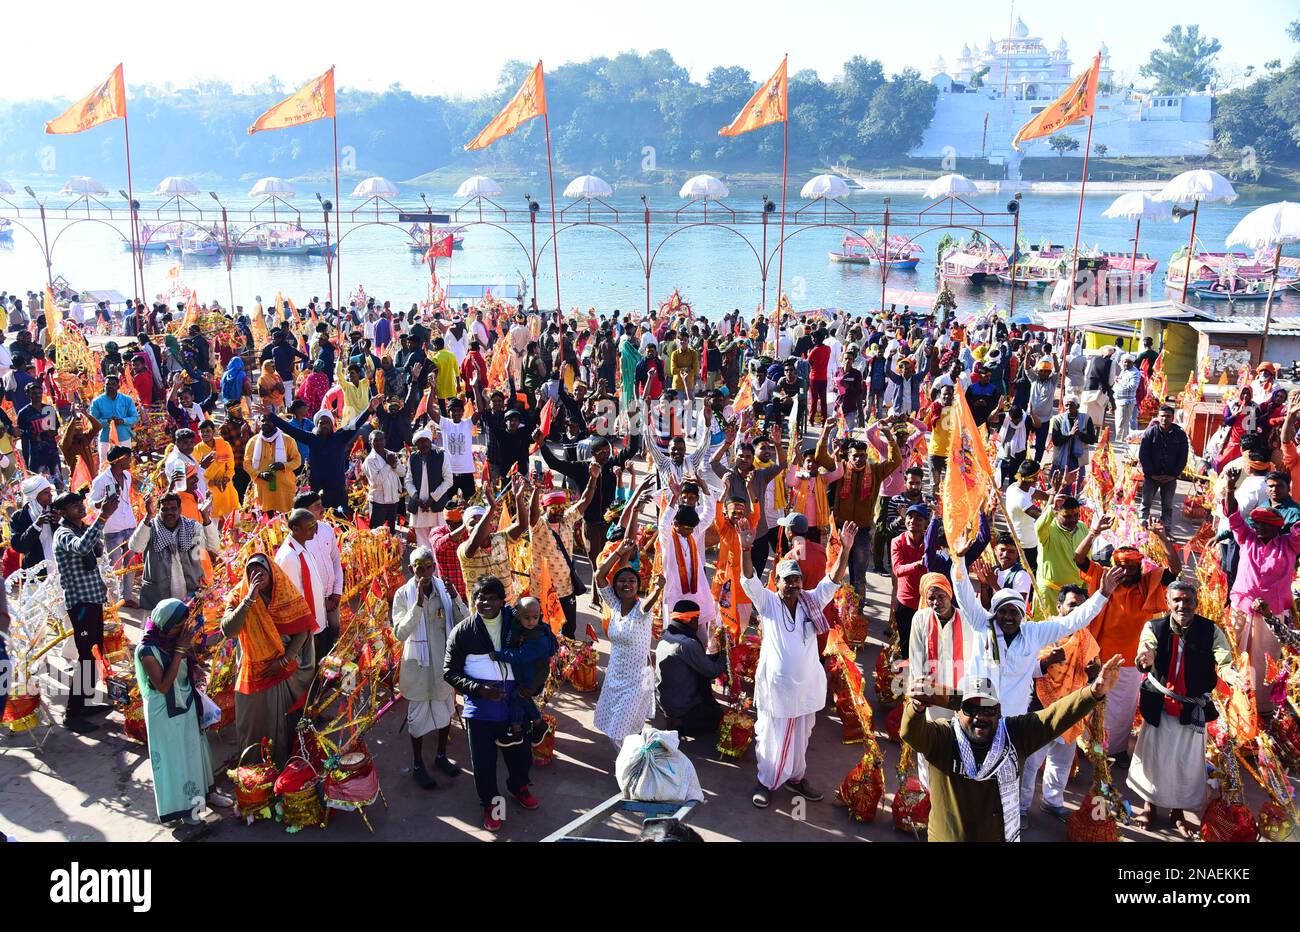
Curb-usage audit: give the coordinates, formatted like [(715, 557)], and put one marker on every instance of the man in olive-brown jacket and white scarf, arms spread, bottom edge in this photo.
[(976, 760)]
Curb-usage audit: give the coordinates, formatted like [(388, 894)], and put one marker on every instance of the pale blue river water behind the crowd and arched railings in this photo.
[(713, 270)]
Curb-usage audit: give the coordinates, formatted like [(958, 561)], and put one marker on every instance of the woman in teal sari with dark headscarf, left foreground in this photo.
[(167, 674)]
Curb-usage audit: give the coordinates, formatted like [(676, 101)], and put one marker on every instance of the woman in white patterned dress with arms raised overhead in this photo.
[(627, 695)]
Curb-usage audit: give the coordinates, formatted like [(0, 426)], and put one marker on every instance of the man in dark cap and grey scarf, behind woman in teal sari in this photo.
[(172, 547)]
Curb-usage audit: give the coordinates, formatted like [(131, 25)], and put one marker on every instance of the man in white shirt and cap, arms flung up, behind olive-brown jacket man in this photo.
[(1015, 647)]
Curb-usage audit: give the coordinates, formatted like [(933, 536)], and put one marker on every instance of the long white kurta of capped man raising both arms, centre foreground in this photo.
[(791, 680)]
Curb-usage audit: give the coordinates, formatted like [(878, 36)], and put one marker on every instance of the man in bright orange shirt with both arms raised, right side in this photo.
[(1138, 599)]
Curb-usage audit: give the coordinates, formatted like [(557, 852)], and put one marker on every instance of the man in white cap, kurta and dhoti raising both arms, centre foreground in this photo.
[(790, 684)]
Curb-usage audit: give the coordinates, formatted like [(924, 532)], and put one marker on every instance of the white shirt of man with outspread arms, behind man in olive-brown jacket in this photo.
[(1017, 665)]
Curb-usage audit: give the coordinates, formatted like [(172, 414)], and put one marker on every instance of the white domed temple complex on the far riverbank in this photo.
[(996, 88)]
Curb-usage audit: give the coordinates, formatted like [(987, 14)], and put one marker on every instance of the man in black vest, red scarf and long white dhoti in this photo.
[(1184, 656)]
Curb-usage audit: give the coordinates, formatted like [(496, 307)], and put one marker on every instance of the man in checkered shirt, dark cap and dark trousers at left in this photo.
[(77, 550)]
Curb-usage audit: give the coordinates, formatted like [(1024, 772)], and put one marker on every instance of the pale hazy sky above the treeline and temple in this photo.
[(67, 47)]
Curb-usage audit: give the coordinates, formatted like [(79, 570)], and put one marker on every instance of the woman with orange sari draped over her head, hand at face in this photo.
[(274, 625)]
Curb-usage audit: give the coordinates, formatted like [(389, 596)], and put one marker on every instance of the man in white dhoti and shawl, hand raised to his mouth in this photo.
[(424, 613)]
